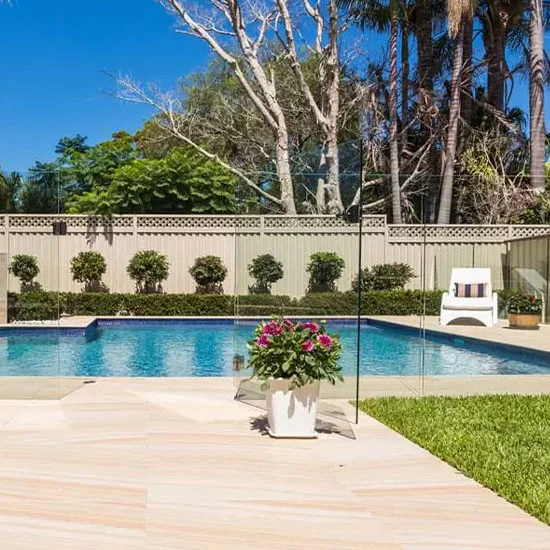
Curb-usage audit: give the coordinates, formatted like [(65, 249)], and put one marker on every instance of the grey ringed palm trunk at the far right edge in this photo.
[(536, 96)]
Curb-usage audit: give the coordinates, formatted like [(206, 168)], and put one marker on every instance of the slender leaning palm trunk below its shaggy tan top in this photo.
[(446, 199)]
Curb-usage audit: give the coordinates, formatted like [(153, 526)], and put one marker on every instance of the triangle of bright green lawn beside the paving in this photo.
[(502, 441)]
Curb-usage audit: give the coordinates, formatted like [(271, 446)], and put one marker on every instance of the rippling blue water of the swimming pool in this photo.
[(206, 348)]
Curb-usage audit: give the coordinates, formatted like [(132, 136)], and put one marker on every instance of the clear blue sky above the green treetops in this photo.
[(53, 57)]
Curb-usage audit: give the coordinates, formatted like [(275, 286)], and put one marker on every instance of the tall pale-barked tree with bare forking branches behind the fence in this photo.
[(241, 34)]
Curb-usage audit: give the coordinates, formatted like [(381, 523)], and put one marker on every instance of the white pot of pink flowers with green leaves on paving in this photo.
[(291, 358)]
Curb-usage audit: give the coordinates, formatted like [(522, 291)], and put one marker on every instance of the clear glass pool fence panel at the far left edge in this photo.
[(31, 337)]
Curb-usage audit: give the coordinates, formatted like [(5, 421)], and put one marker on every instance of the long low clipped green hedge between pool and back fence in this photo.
[(51, 305)]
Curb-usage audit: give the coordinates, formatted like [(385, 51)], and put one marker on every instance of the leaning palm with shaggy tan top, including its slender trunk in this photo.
[(460, 12)]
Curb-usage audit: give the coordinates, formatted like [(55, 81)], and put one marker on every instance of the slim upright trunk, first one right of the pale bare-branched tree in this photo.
[(394, 146)]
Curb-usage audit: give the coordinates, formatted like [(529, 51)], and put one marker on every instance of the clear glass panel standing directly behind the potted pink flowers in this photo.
[(301, 268)]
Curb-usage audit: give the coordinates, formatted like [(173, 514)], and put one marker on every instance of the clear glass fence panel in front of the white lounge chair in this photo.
[(481, 335)]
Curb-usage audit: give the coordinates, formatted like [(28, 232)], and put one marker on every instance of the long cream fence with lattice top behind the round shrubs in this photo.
[(517, 254)]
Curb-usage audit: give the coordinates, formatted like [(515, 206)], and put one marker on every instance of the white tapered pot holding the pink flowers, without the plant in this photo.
[(292, 413)]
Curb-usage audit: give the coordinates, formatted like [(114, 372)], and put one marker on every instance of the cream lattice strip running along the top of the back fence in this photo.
[(42, 223)]
